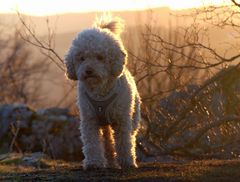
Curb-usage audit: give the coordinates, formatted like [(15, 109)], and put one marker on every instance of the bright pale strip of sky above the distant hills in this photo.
[(52, 7)]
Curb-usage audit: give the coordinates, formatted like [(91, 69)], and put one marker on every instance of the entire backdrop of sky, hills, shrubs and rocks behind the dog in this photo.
[(184, 57)]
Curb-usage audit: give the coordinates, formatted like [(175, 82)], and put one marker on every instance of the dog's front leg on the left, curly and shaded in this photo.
[(92, 145)]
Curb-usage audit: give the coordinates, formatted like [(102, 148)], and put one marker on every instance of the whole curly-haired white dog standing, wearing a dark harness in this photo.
[(108, 99)]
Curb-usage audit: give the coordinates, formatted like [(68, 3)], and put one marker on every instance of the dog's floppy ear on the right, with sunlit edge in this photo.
[(119, 65)]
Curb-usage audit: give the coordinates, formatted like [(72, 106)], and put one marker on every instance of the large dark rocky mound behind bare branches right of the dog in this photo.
[(216, 101)]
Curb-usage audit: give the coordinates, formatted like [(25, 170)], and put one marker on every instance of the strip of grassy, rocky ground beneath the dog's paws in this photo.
[(39, 168)]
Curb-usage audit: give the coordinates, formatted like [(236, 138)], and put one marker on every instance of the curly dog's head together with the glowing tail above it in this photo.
[(97, 54)]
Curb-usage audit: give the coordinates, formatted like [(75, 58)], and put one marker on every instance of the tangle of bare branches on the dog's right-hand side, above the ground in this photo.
[(190, 86)]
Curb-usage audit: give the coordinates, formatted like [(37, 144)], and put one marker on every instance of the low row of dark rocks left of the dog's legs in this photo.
[(52, 131)]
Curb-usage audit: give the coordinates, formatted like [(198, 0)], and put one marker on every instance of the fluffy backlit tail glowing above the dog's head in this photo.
[(114, 24)]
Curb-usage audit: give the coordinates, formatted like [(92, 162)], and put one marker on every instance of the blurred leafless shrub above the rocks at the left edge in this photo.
[(19, 75)]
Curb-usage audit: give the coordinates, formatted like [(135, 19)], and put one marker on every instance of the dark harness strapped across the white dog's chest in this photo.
[(101, 107)]
